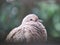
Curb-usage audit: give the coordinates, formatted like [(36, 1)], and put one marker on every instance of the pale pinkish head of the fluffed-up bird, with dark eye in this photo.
[(31, 18)]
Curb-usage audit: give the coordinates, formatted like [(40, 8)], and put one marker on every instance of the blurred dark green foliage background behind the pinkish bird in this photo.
[(13, 11)]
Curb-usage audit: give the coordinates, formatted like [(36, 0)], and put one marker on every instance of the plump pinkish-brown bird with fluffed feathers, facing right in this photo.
[(30, 30)]
